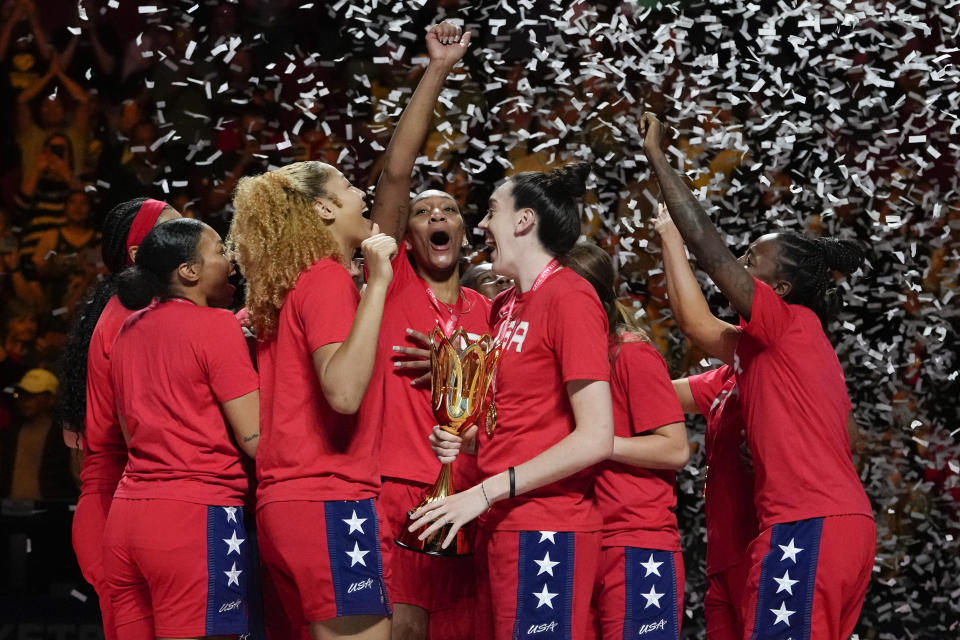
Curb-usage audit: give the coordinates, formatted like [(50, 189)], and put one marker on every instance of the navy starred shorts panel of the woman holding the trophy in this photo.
[(544, 585)]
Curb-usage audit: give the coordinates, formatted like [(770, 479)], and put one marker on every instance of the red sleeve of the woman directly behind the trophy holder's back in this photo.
[(650, 396)]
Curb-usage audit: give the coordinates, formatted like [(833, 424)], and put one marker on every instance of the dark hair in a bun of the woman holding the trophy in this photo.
[(553, 197)]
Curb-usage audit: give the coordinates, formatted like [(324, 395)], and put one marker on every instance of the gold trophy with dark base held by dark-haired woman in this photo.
[(460, 382)]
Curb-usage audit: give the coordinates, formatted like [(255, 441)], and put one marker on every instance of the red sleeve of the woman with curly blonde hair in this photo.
[(326, 300)]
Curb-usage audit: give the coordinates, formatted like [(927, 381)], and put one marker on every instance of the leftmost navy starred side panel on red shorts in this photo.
[(227, 571)]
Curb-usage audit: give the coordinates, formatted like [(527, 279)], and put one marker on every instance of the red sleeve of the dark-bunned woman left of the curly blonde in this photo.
[(227, 358)]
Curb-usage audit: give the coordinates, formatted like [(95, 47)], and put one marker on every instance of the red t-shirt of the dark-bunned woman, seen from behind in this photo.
[(173, 365)]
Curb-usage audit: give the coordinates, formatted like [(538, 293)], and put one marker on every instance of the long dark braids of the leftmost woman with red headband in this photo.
[(72, 396)]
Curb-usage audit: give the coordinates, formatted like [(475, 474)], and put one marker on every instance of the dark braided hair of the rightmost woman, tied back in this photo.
[(809, 265)]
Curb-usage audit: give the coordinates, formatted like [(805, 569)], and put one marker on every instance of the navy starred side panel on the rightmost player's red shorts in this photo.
[(787, 577)]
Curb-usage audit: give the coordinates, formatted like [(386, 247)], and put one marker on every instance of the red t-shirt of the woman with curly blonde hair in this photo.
[(307, 450)]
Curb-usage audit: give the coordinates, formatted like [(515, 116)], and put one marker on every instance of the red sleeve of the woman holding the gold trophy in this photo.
[(578, 333)]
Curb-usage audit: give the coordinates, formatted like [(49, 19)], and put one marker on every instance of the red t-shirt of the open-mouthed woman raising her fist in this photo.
[(401, 411)]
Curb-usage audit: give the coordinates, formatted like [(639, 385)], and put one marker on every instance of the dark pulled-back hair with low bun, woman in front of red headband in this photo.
[(166, 247)]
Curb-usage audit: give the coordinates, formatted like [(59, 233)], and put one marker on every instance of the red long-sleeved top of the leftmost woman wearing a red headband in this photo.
[(104, 449)]
